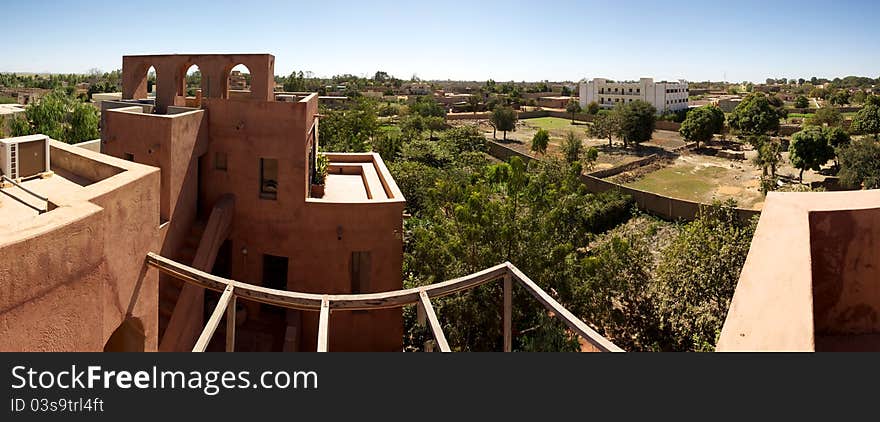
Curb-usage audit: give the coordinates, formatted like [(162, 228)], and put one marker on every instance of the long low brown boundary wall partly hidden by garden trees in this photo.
[(662, 206)]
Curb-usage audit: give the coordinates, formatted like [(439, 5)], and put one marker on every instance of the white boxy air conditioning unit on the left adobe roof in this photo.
[(24, 156)]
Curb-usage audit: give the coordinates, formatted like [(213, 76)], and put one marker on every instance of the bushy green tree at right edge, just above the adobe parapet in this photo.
[(860, 164)]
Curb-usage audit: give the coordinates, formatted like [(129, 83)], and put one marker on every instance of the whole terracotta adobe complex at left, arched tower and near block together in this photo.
[(223, 187)]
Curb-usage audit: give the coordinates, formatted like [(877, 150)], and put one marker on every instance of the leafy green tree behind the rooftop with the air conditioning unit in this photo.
[(60, 117)]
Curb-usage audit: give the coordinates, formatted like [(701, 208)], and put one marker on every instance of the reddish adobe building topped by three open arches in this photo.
[(235, 201)]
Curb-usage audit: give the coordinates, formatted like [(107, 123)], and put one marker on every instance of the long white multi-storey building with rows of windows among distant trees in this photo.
[(665, 96)]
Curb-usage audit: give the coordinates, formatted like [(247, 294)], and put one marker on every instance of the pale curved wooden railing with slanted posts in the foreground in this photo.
[(419, 296)]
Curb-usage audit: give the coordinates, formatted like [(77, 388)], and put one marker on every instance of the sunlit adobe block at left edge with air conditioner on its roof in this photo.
[(74, 228)]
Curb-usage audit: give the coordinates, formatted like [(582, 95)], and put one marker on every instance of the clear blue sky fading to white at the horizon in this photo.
[(475, 40)]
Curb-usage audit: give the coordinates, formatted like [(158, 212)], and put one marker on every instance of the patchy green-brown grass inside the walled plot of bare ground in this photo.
[(684, 182)]
